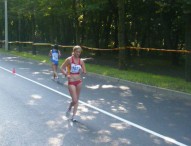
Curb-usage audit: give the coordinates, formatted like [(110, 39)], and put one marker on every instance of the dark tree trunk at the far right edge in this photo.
[(188, 47)]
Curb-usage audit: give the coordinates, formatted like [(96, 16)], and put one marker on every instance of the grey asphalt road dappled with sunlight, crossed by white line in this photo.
[(32, 111)]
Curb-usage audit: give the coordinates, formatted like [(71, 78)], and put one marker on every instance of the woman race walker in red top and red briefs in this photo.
[(72, 69)]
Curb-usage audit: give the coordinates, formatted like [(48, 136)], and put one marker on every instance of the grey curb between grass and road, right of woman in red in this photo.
[(144, 87)]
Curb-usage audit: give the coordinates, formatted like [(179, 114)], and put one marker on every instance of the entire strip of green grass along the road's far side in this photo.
[(162, 81)]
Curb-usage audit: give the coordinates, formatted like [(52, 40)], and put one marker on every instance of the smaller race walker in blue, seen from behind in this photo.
[(55, 54)]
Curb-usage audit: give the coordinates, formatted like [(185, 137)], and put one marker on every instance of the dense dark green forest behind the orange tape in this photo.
[(160, 24)]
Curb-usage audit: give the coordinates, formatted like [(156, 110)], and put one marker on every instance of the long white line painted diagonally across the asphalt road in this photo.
[(166, 138)]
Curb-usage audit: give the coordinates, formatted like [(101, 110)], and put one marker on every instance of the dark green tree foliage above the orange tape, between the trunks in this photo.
[(95, 22)]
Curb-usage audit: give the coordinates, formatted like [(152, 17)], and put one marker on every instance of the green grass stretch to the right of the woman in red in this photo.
[(162, 81)]
